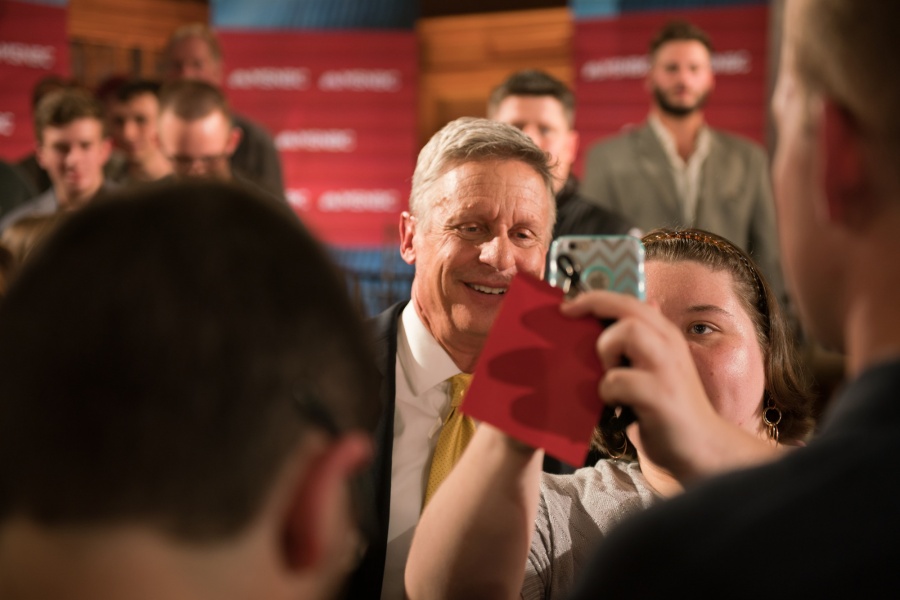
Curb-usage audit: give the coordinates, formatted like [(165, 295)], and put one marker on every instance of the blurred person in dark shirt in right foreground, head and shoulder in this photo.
[(823, 521)]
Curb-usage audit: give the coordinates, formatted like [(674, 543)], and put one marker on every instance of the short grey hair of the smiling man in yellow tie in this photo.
[(470, 139)]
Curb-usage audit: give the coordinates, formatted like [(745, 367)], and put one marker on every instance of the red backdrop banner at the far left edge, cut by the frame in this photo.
[(33, 44)]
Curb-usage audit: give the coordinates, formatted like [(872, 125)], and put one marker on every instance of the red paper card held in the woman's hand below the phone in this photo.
[(537, 376)]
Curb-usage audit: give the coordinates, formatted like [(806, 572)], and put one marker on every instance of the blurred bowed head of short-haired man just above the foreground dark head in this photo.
[(196, 131)]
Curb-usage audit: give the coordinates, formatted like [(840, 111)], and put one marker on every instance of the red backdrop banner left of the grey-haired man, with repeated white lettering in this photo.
[(342, 110)]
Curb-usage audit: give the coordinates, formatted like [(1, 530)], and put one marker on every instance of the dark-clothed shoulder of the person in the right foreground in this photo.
[(818, 523)]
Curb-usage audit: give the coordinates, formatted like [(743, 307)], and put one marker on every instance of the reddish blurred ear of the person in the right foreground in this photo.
[(842, 147)]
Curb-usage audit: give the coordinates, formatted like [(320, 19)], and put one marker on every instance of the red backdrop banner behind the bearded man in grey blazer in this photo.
[(611, 60)]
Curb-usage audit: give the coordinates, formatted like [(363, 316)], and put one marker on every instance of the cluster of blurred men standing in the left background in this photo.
[(130, 132)]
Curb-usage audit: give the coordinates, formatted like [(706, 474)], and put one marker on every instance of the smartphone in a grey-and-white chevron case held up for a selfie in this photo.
[(597, 262)]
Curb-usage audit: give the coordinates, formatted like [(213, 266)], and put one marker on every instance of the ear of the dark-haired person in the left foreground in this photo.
[(318, 529)]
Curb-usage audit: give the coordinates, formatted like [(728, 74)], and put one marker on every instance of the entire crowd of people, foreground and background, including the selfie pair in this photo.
[(193, 407)]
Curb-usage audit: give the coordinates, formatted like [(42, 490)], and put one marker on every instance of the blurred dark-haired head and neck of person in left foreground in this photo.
[(170, 428)]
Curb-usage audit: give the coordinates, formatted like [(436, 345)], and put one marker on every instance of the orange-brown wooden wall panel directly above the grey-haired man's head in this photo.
[(463, 58)]
